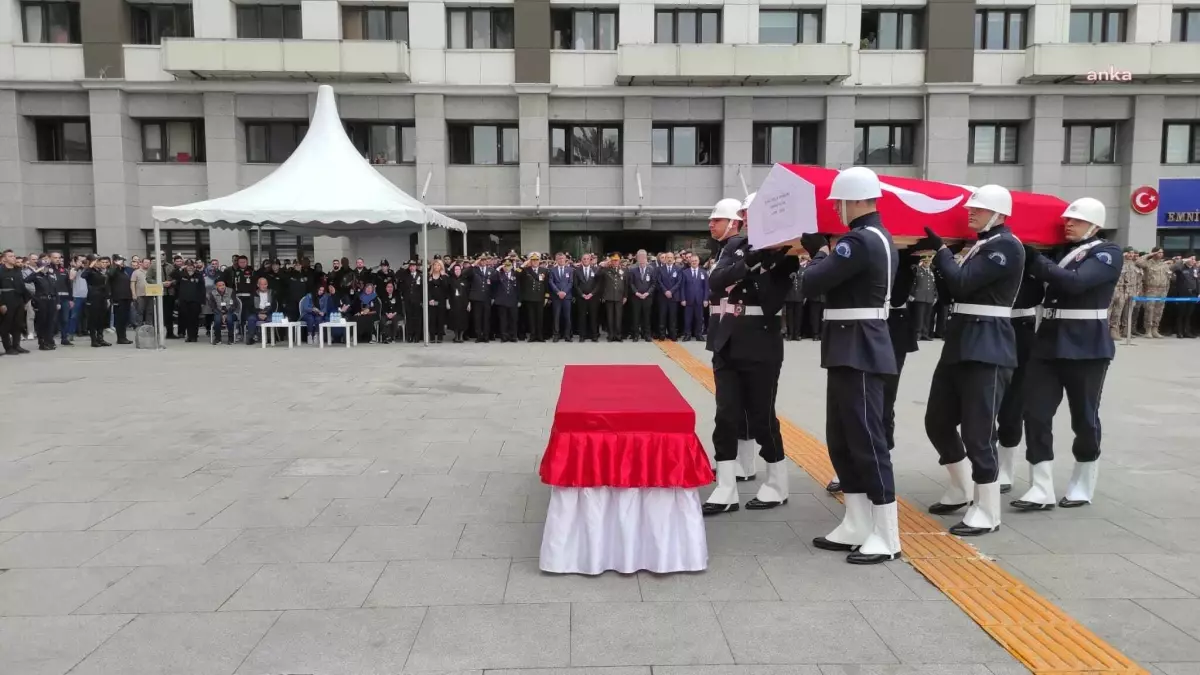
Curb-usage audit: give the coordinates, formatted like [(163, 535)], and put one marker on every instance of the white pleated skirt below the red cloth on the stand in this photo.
[(596, 530)]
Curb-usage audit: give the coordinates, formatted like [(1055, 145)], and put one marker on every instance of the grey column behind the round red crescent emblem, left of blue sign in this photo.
[(1142, 156)]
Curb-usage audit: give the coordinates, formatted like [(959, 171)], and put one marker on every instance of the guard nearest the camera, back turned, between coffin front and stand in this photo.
[(857, 355)]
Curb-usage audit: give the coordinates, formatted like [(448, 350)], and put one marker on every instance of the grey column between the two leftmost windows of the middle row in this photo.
[(116, 151)]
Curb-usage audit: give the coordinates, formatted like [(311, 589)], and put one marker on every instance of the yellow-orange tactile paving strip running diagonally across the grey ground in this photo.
[(1030, 628)]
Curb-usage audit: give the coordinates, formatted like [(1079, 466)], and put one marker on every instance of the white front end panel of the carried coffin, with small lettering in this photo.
[(784, 208)]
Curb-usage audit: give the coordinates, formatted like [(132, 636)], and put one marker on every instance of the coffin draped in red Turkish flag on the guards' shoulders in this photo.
[(910, 205)]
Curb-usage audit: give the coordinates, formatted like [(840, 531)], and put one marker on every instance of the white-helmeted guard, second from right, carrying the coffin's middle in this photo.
[(977, 360)]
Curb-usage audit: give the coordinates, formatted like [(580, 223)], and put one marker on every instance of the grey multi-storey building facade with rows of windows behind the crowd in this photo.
[(583, 126)]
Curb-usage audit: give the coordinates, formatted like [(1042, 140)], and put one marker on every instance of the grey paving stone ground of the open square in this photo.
[(232, 511)]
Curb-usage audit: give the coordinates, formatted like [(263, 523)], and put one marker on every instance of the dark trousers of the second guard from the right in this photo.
[(961, 417)]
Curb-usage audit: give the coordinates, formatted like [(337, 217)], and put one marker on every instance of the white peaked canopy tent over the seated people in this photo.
[(326, 188)]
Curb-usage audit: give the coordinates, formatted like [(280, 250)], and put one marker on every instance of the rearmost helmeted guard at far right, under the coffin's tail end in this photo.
[(1072, 355)]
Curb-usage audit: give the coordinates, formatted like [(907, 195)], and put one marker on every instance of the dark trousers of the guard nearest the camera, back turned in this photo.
[(855, 434)]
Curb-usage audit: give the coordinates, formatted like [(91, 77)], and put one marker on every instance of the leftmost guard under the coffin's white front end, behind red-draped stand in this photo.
[(748, 355)]
